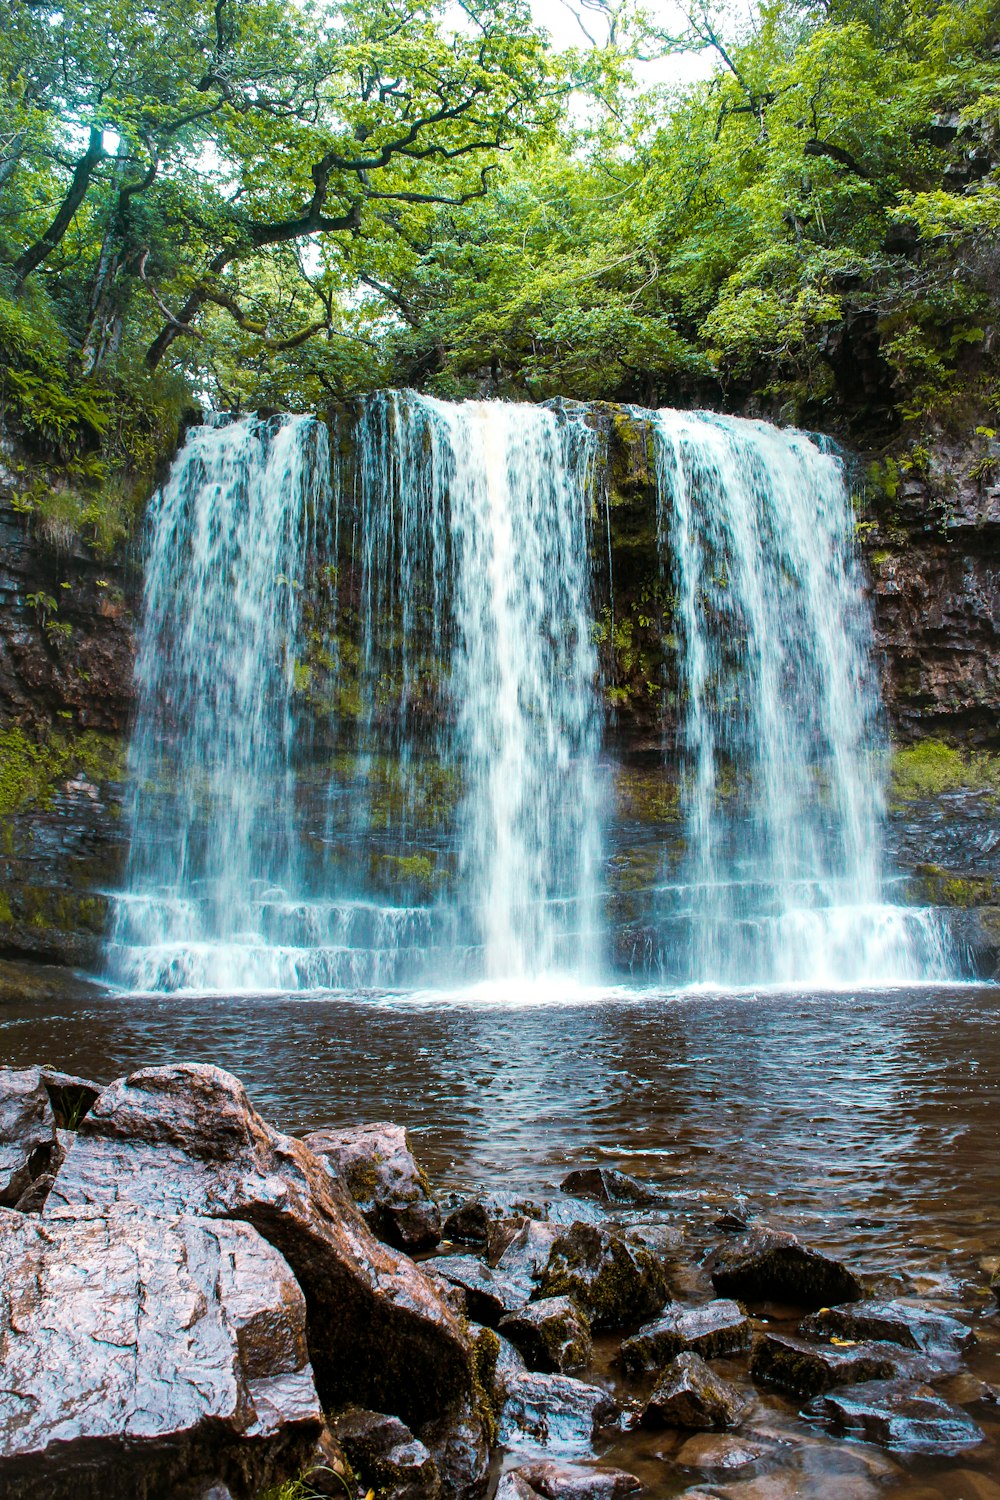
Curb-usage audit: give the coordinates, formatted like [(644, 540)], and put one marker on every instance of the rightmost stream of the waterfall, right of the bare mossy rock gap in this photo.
[(782, 743)]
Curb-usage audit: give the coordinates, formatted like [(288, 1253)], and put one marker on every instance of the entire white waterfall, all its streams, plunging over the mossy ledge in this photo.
[(446, 583)]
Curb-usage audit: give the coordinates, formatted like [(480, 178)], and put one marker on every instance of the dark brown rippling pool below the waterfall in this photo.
[(867, 1123)]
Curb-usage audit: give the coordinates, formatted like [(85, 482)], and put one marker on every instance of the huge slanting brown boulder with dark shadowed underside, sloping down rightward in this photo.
[(187, 1141)]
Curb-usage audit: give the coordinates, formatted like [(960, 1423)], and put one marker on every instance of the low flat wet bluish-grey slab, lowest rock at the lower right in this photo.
[(900, 1415)]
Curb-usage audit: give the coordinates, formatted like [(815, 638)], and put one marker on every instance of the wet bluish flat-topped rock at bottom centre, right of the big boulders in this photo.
[(554, 1414)]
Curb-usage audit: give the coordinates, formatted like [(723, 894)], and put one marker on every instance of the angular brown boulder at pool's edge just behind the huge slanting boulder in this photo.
[(382, 1175)]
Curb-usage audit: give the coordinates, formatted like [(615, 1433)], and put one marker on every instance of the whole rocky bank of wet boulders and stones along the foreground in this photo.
[(197, 1306)]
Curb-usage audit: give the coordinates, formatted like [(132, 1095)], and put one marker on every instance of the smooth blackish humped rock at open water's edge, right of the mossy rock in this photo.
[(771, 1264)]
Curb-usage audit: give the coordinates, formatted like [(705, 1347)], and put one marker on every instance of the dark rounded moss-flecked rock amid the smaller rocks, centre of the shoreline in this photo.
[(614, 1280)]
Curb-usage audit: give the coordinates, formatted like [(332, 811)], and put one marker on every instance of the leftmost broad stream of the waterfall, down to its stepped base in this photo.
[(211, 809)]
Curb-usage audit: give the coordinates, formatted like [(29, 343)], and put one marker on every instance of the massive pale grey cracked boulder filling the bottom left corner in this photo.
[(148, 1357)]
